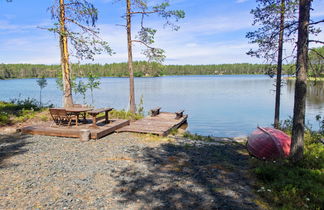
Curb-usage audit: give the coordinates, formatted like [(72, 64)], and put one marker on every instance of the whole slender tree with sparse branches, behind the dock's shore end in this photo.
[(146, 34)]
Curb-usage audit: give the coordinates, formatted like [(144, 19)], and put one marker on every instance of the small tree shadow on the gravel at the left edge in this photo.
[(11, 145)]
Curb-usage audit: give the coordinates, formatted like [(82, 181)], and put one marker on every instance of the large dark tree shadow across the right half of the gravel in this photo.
[(187, 175)]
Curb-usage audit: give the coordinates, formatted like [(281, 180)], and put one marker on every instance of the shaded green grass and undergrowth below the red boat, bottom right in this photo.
[(292, 186)]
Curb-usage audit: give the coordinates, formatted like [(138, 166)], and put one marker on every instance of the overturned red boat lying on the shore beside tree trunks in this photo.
[(269, 144)]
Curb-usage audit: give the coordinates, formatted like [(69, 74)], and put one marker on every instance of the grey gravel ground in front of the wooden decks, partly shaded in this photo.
[(123, 171)]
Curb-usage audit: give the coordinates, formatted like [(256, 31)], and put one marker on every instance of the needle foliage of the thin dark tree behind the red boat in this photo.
[(267, 17)]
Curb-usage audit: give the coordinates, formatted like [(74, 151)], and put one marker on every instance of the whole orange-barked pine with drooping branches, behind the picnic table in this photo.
[(75, 23)]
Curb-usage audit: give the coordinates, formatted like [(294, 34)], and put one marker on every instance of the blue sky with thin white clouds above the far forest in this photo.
[(213, 32)]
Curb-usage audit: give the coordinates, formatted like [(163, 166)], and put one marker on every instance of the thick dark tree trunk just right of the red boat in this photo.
[(297, 144)]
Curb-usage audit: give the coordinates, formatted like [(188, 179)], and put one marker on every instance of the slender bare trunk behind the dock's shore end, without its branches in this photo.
[(130, 59)]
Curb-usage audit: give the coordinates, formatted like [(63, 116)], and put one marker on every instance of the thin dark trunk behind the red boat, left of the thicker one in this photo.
[(279, 64)]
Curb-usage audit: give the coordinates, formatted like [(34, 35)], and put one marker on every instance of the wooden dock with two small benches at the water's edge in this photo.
[(160, 124)]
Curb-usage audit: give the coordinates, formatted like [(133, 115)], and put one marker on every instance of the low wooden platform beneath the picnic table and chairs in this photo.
[(74, 131)]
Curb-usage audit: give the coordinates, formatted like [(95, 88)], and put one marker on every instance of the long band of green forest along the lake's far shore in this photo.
[(141, 69)]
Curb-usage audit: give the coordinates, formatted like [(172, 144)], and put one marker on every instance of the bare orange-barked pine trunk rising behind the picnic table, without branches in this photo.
[(67, 97)]
